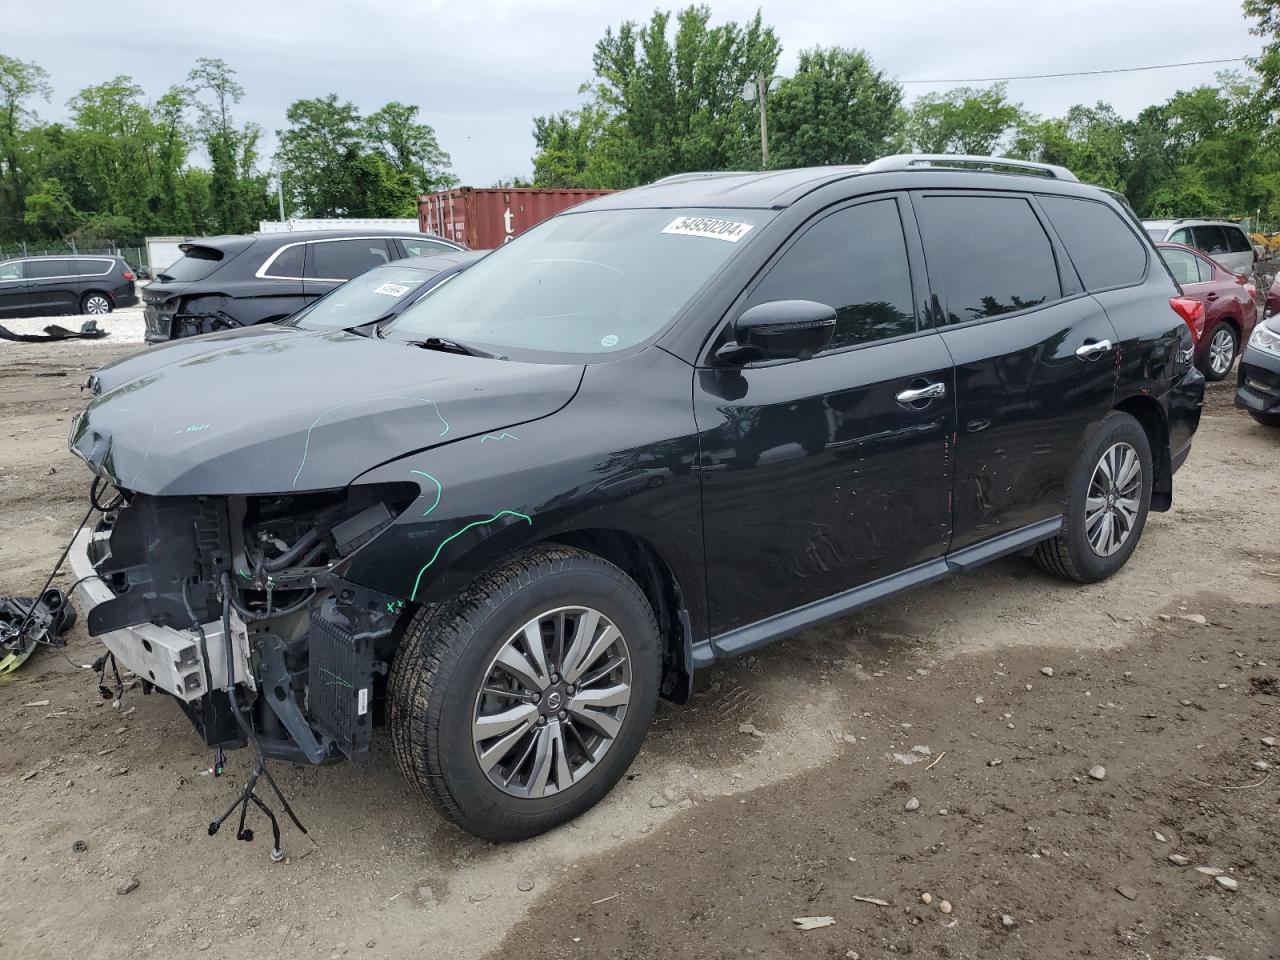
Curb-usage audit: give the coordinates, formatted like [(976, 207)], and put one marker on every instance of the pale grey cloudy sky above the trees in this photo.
[(481, 70)]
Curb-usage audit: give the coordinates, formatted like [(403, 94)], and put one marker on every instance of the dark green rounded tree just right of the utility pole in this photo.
[(836, 109)]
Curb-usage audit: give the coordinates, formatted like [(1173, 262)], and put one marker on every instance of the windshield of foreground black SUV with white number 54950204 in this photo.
[(583, 284)]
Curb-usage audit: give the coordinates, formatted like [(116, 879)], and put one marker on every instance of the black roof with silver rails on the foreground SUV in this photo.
[(780, 189)]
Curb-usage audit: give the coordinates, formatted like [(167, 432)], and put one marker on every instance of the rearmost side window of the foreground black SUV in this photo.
[(1105, 252)]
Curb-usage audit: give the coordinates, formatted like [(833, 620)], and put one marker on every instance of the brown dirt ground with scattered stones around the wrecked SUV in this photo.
[(720, 839)]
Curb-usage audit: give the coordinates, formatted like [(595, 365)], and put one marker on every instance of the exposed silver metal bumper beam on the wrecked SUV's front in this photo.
[(168, 659)]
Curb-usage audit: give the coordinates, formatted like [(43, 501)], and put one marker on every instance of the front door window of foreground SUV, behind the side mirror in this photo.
[(854, 260)]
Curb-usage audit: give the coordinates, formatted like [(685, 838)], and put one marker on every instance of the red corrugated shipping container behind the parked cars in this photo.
[(487, 218)]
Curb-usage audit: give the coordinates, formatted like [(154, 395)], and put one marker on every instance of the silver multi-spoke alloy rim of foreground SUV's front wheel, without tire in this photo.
[(552, 702)]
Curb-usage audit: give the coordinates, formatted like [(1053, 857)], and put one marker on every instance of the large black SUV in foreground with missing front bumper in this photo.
[(666, 427)]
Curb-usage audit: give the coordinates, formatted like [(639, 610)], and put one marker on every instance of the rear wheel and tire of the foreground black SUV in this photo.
[(1107, 506)]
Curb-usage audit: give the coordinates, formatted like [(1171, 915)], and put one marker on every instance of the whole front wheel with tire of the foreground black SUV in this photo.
[(522, 702)]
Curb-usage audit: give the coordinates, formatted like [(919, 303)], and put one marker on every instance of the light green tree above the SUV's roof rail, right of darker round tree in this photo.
[(964, 121)]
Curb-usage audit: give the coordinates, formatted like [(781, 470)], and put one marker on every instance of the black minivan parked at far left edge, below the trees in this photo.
[(66, 285)]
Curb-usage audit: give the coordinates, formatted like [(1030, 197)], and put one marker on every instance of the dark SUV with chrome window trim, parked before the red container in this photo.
[(226, 282)]
